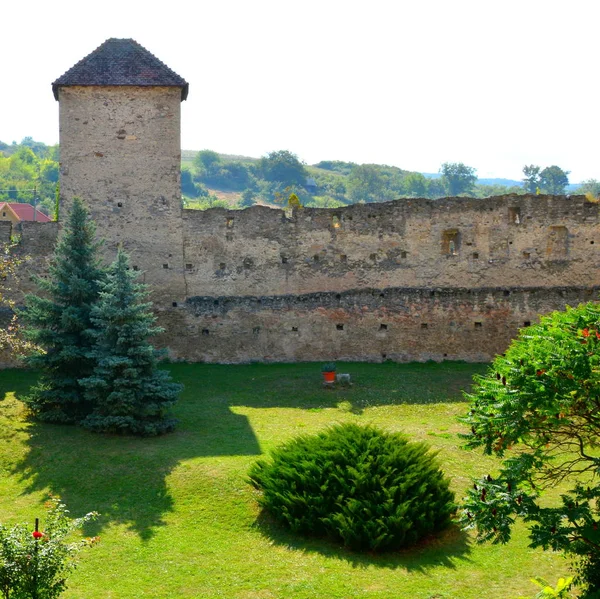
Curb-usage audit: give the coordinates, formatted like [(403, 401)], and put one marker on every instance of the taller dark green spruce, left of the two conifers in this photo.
[(59, 322)]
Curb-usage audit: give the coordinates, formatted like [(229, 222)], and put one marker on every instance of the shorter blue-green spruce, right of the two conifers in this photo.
[(130, 394)]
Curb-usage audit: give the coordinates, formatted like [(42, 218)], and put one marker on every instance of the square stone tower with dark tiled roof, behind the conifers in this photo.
[(120, 151)]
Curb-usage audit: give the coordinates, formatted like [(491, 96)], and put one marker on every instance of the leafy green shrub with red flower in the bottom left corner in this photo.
[(36, 568)]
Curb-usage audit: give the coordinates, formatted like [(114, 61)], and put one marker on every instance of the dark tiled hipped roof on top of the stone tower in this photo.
[(121, 62)]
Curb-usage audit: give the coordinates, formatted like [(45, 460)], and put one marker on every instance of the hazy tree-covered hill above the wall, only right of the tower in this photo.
[(273, 178)]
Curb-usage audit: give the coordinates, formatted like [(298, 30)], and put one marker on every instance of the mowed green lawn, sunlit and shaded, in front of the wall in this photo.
[(178, 518)]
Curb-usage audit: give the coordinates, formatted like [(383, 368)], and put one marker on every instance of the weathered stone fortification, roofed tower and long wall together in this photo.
[(405, 280)]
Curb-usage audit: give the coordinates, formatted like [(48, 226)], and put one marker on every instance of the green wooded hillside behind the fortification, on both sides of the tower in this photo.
[(29, 173)]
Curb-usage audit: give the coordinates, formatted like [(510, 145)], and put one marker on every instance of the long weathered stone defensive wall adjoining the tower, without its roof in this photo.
[(404, 280)]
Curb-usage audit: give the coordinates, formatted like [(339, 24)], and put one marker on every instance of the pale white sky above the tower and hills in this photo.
[(493, 84)]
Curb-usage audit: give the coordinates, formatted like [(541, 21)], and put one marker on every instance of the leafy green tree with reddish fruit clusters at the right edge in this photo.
[(542, 398)]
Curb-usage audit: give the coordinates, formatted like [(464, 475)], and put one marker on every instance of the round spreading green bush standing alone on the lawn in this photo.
[(372, 490)]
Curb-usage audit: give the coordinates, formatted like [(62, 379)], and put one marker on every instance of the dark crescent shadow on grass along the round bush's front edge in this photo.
[(444, 550)]
